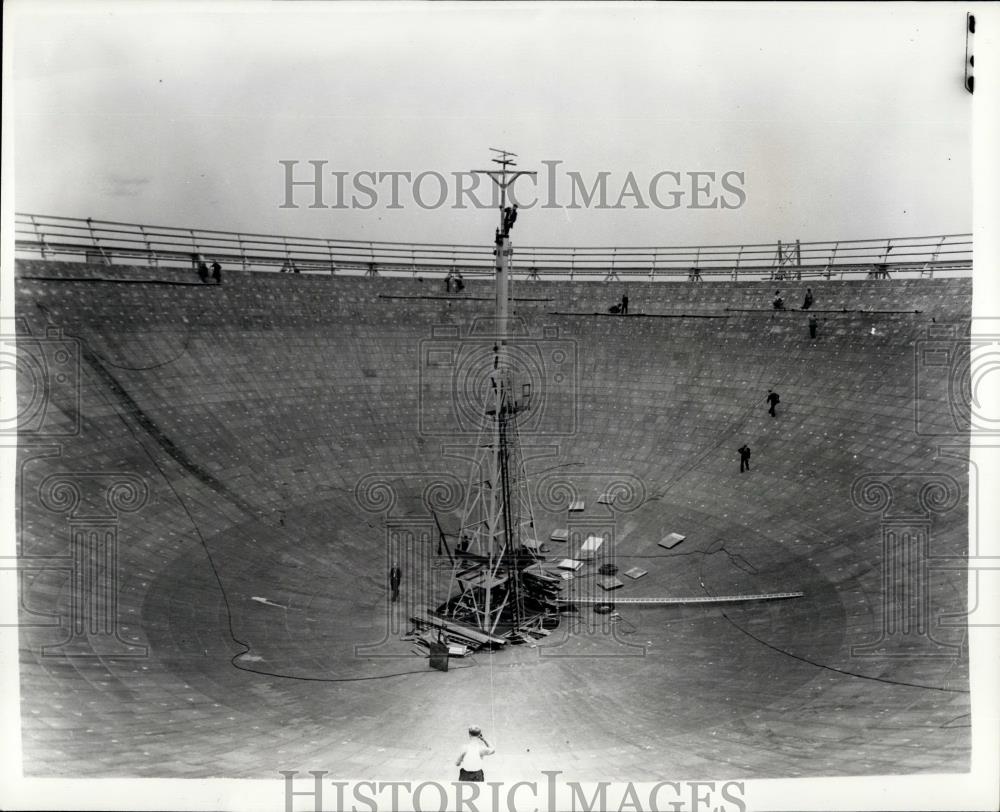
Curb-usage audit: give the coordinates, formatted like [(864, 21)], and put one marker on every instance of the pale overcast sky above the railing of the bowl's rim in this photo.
[(843, 122)]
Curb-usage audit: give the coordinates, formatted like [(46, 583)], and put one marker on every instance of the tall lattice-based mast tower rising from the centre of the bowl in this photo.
[(490, 590)]
